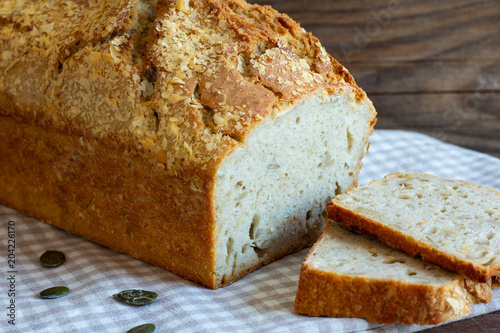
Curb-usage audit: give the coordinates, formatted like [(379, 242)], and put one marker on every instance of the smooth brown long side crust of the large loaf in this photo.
[(146, 221)]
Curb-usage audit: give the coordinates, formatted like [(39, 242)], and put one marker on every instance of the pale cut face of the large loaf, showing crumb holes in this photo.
[(271, 193)]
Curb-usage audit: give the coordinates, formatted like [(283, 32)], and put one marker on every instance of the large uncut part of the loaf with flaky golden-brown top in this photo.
[(203, 136)]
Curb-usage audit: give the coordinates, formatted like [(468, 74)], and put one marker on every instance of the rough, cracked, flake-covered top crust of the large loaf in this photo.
[(182, 82)]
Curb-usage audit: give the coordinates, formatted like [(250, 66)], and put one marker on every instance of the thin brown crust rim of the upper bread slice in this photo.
[(399, 240)]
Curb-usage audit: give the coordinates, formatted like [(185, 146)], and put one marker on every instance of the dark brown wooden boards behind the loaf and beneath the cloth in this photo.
[(428, 66)]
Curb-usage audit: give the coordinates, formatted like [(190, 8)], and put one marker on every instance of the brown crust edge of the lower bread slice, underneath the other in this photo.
[(326, 293)]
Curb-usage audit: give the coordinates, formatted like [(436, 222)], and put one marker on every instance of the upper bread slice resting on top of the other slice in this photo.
[(453, 224)]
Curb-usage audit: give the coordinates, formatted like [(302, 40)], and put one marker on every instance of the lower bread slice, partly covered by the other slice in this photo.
[(348, 275)]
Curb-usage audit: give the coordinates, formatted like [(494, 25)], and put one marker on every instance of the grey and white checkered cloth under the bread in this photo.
[(260, 302)]
